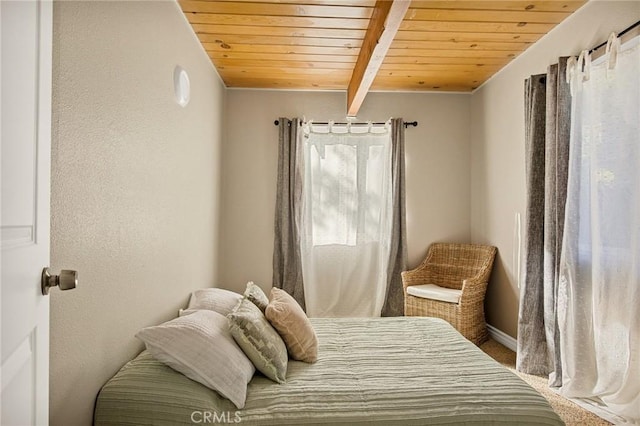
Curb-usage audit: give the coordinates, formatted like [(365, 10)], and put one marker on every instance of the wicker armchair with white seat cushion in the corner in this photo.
[(462, 267)]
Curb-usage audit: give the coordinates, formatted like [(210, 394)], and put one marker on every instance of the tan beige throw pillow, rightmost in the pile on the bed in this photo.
[(286, 316)]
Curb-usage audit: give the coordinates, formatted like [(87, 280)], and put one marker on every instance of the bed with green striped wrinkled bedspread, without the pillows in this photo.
[(405, 370)]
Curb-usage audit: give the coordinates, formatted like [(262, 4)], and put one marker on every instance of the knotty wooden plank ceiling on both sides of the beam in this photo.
[(450, 45)]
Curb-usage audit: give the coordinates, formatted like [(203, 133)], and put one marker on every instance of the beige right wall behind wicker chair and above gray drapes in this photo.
[(497, 143)]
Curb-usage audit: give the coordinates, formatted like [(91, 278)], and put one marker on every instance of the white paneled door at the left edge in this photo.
[(26, 39)]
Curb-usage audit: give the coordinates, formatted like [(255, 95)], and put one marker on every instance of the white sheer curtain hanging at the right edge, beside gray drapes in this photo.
[(599, 293)]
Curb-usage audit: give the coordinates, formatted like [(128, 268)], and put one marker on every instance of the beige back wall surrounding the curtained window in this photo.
[(437, 161)]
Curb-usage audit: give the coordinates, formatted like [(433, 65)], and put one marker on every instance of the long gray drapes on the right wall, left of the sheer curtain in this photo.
[(547, 124)]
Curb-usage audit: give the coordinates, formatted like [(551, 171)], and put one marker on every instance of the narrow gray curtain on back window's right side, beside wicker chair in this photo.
[(394, 301)]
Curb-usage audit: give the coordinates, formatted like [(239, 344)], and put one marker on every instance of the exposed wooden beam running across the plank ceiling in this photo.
[(383, 25)]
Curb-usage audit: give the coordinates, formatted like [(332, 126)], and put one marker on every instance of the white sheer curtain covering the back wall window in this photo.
[(346, 219)]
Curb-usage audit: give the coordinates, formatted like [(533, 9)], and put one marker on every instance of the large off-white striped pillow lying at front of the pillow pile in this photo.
[(200, 346)]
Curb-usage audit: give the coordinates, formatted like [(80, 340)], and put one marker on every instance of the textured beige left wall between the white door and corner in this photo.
[(135, 186)]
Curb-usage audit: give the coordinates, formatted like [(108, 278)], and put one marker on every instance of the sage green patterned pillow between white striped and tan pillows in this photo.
[(259, 341)]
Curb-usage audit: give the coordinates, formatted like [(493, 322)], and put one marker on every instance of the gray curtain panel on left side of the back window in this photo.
[(287, 266)]
